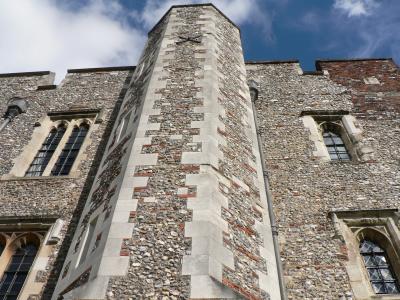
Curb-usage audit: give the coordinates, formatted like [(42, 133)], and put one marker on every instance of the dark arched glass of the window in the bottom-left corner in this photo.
[(17, 271)]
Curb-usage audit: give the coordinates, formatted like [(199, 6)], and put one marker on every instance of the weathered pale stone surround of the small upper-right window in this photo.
[(346, 126)]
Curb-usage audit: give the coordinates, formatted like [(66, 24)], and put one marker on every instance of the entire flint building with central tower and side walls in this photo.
[(197, 175)]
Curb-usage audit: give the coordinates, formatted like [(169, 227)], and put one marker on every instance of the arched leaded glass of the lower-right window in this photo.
[(380, 272)]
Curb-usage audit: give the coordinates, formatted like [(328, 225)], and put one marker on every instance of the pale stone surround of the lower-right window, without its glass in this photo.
[(379, 225)]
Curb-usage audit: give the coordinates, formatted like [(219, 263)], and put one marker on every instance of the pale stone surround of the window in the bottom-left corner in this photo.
[(38, 230)]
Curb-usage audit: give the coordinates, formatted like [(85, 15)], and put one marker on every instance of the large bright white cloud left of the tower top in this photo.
[(45, 35)]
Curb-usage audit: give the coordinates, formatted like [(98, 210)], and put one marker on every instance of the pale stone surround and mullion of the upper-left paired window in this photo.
[(70, 119)]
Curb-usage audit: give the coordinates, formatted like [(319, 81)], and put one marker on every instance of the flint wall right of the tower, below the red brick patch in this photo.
[(305, 189)]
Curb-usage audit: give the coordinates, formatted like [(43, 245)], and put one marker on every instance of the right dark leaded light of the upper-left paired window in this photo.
[(70, 151)]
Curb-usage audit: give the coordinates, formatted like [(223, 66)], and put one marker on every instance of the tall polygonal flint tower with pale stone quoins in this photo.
[(178, 208)]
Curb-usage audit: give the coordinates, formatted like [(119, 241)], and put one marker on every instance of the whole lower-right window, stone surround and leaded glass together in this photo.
[(372, 252)]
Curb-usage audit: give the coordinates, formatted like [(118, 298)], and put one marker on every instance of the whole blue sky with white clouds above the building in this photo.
[(56, 35)]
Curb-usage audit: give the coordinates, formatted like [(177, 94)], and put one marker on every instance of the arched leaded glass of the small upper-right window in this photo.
[(334, 143)]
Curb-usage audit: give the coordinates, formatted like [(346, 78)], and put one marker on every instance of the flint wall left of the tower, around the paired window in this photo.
[(55, 196)]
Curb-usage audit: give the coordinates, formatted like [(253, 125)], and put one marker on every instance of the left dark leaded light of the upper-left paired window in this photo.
[(44, 154)]
